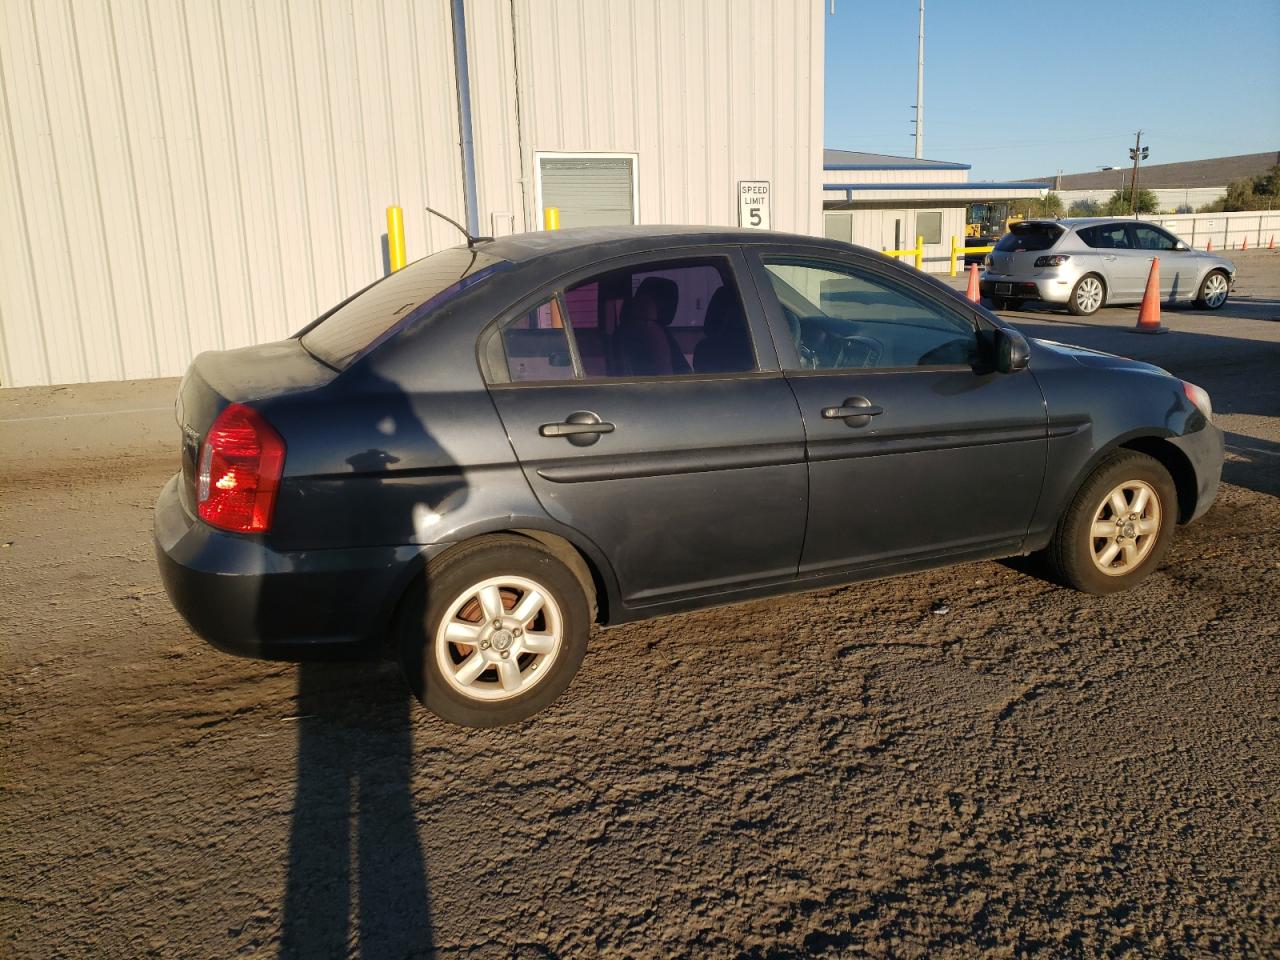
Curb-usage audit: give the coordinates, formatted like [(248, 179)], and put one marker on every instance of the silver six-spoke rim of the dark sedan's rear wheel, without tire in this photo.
[(500, 638)]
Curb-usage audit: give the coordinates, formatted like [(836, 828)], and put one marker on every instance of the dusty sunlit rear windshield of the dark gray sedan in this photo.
[(371, 317)]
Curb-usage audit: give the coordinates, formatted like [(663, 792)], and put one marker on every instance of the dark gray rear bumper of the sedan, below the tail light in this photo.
[(245, 598)]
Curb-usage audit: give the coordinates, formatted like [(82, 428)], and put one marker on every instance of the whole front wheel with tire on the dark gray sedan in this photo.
[(1119, 527)]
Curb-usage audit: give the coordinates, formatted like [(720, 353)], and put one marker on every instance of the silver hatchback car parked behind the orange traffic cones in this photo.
[(1089, 263)]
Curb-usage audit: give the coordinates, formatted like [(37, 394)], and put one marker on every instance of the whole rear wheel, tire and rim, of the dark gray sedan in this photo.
[(496, 633)]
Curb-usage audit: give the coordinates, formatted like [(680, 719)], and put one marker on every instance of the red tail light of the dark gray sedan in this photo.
[(240, 472)]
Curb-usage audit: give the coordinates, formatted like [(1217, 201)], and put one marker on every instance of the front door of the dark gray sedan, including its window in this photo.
[(948, 458)]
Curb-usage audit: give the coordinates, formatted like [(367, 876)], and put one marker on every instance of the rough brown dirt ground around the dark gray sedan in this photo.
[(970, 762)]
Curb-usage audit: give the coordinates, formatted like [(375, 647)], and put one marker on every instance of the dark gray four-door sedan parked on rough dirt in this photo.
[(469, 463)]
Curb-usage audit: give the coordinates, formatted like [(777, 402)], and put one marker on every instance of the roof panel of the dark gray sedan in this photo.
[(524, 248)]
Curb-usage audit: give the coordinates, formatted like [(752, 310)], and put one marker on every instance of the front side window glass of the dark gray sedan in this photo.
[(842, 318)]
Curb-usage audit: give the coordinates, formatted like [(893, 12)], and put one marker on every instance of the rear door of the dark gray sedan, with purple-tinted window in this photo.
[(647, 409)]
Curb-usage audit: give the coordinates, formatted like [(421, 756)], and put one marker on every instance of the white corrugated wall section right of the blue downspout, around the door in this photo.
[(706, 93)]
